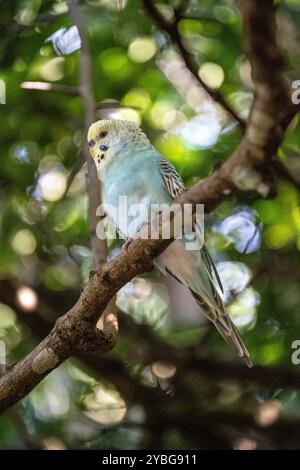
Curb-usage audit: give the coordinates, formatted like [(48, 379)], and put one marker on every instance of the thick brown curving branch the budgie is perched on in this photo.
[(75, 332)]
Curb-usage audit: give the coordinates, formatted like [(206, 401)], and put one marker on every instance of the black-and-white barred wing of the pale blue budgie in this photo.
[(175, 187)]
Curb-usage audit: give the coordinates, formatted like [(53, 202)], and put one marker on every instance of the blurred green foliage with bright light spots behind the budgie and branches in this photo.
[(44, 234)]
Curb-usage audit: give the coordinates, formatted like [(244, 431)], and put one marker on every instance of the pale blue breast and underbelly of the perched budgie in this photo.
[(137, 175)]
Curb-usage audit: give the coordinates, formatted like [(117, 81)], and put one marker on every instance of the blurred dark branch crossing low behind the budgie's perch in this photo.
[(154, 348)]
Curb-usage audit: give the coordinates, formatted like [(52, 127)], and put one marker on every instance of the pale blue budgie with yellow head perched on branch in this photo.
[(130, 166)]
